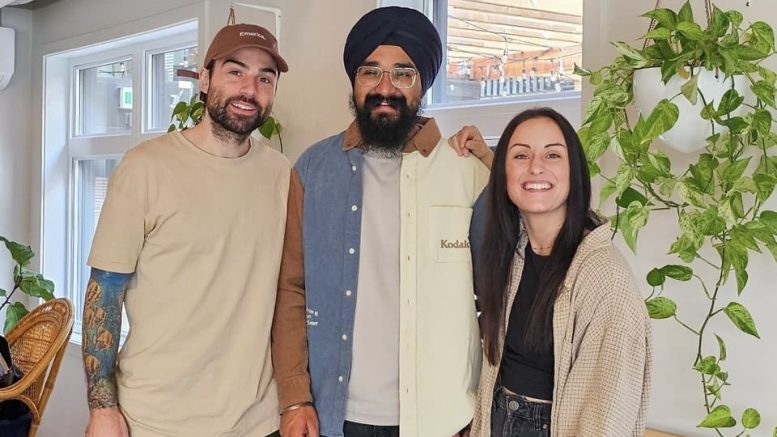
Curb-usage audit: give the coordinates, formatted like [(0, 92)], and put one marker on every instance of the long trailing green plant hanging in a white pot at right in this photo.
[(718, 199)]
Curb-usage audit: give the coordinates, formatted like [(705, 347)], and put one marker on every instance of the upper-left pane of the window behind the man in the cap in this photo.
[(105, 99)]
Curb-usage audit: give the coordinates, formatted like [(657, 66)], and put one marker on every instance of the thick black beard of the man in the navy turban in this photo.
[(382, 134)]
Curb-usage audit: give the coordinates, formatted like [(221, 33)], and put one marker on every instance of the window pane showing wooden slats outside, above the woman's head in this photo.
[(499, 49)]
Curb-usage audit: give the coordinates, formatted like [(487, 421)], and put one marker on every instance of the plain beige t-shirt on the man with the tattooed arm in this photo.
[(204, 236)]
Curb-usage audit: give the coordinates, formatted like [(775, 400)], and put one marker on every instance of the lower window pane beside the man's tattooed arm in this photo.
[(91, 187)]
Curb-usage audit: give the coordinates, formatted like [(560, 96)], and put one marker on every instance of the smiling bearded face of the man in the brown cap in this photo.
[(241, 90)]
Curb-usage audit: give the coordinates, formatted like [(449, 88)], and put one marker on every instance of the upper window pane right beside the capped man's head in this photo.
[(170, 84)]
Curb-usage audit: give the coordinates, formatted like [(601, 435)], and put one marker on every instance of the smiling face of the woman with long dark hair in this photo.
[(537, 169)]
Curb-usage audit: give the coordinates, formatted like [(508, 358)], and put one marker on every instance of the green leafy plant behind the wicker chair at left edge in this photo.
[(30, 283)]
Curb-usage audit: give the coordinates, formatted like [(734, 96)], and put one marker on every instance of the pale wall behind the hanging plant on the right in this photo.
[(677, 403)]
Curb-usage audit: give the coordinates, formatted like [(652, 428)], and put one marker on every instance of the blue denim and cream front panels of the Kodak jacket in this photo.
[(439, 338)]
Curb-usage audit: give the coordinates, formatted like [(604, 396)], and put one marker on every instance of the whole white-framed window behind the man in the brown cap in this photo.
[(116, 95)]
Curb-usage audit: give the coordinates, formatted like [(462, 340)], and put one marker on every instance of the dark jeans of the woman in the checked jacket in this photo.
[(515, 416)]
